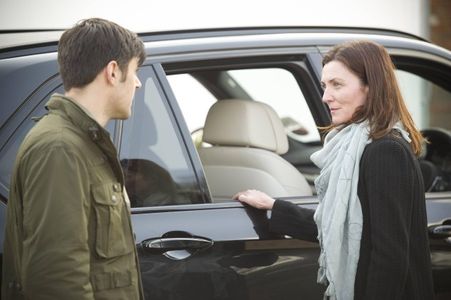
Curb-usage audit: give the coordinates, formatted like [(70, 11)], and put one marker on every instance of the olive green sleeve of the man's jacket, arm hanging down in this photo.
[(55, 262)]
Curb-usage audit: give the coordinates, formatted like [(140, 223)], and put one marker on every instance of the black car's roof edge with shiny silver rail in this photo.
[(22, 42)]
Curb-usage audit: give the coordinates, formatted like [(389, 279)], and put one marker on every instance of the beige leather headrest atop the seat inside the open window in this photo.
[(247, 123)]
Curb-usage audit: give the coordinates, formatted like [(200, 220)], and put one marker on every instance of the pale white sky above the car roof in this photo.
[(151, 15)]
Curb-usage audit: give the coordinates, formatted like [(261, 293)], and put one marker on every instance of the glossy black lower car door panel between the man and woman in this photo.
[(243, 261)]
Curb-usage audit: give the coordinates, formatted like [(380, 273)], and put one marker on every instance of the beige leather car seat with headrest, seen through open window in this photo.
[(247, 138)]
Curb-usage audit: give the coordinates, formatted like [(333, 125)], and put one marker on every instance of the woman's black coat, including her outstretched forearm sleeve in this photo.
[(394, 258)]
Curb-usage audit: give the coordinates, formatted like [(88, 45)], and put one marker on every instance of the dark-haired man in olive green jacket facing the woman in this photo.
[(68, 232)]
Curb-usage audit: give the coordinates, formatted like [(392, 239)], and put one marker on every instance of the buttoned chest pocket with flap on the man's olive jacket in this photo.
[(113, 236)]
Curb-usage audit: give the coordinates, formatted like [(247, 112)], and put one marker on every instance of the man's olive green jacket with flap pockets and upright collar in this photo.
[(68, 232)]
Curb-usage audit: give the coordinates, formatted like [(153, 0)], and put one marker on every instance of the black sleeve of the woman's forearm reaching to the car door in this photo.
[(290, 219)]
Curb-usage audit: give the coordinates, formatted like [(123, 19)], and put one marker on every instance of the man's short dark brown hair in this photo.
[(85, 49)]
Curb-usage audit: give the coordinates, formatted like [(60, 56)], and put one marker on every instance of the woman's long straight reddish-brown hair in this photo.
[(385, 105)]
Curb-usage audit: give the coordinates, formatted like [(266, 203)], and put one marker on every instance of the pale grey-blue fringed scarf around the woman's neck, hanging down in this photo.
[(339, 214)]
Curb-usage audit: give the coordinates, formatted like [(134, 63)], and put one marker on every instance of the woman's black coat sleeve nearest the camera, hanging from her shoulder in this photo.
[(389, 177)]
